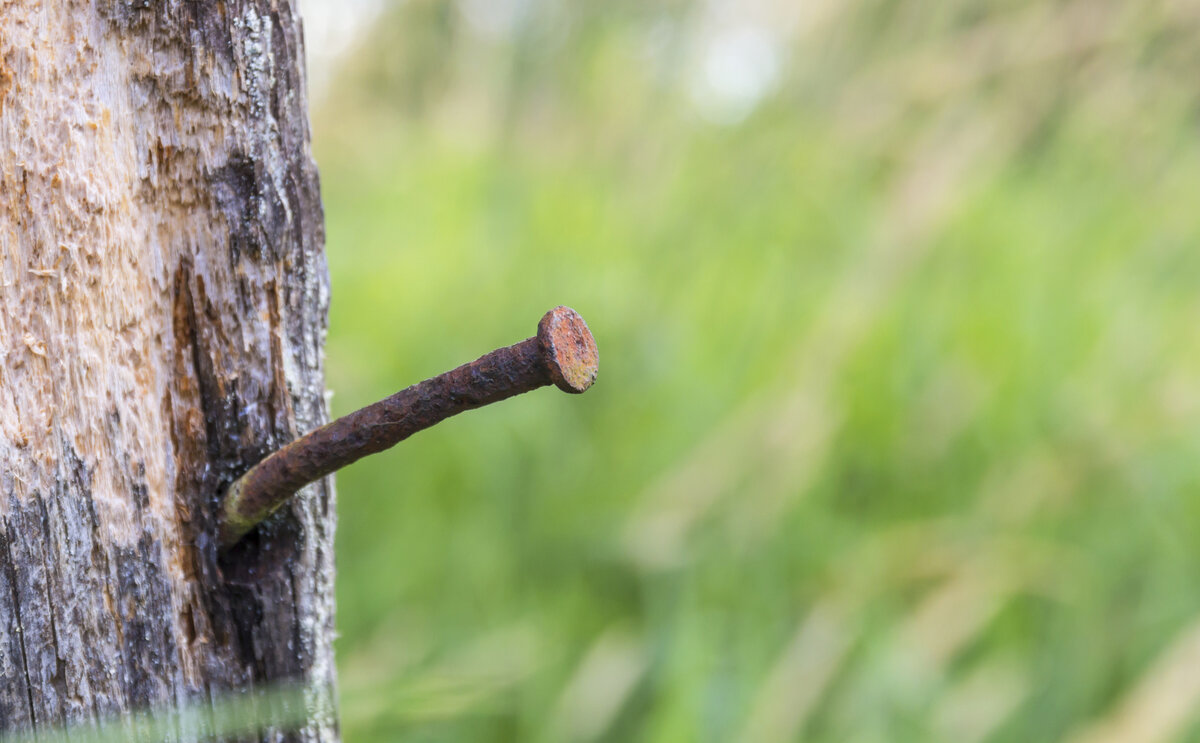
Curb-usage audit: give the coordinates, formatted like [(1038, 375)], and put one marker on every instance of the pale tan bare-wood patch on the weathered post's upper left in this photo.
[(80, 274)]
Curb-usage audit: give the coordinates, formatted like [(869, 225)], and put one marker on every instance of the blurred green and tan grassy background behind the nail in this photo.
[(897, 430)]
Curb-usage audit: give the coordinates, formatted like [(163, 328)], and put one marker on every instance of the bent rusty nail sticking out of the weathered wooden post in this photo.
[(563, 353)]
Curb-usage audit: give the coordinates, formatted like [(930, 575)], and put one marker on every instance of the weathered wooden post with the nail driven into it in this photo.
[(164, 298)]
